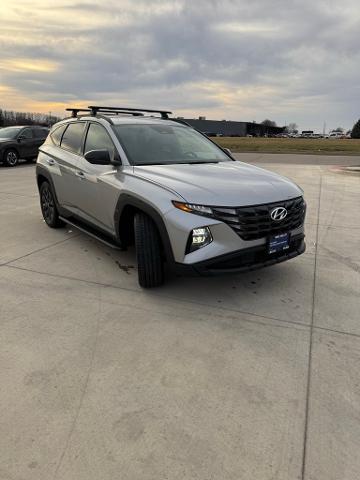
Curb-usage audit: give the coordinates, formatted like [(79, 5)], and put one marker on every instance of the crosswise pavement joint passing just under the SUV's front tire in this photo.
[(180, 300)]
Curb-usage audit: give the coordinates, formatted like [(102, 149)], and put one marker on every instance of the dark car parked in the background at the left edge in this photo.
[(20, 142)]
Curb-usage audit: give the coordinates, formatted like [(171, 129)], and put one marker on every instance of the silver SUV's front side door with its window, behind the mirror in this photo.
[(95, 194)]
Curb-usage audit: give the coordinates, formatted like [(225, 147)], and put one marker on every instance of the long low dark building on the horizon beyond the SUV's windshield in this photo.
[(232, 129)]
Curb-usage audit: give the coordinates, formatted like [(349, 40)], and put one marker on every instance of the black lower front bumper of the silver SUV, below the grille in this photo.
[(244, 260)]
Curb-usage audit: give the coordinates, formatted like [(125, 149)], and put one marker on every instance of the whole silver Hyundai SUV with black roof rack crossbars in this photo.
[(129, 176)]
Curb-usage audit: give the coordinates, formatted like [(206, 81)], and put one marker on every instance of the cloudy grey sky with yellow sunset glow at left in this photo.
[(289, 61)]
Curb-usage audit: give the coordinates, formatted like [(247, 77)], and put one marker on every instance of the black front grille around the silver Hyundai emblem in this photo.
[(254, 222)]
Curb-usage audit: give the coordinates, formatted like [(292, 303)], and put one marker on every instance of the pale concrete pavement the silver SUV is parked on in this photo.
[(251, 377)]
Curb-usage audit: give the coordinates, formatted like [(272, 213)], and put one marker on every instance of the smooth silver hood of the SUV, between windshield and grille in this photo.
[(225, 183)]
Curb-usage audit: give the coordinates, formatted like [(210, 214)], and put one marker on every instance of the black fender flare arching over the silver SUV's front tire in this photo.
[(126, 200)]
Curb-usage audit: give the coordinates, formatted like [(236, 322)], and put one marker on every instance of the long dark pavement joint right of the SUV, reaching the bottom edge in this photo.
[(308, 384)]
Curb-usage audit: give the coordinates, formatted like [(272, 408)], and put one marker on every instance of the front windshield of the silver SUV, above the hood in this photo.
[(164, 144)]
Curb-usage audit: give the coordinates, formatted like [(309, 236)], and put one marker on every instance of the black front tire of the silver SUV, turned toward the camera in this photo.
[(148, 252)]
